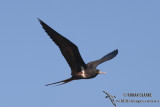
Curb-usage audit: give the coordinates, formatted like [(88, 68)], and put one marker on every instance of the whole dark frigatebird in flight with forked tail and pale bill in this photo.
[(70, 51)]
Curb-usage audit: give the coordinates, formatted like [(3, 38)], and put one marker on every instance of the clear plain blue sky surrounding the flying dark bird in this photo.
[(29, 59)]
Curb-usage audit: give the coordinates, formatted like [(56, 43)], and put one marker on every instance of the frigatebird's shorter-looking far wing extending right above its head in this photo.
[(107, 57)]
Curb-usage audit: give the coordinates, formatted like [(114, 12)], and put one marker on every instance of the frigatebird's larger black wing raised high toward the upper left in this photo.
[(68, 49)]
